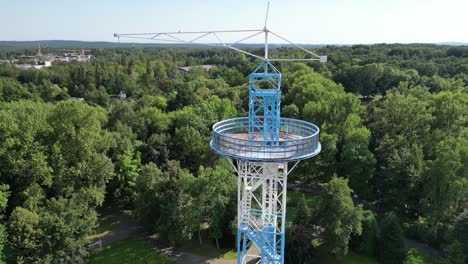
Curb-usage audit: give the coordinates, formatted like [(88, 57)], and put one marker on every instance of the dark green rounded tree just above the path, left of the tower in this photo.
[(163, 203)]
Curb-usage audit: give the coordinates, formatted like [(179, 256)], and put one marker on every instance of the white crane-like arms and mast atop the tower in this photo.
[(197, 38)]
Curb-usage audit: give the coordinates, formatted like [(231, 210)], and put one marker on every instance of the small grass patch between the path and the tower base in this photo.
[(207, 249)]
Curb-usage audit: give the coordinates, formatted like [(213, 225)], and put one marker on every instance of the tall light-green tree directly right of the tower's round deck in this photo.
[(319, 100)]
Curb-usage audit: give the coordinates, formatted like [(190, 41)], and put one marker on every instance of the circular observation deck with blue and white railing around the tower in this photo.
[(298, 140)]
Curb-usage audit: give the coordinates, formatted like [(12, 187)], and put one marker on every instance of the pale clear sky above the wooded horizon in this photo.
[(301, 21)]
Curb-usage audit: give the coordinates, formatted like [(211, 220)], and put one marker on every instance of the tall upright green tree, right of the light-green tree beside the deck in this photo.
[(400, 126)]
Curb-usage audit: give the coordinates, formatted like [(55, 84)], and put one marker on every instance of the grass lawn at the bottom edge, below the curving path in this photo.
[(128, 251)]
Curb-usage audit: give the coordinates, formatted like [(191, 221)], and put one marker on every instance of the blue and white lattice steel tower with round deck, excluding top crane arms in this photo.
[(262, 145)]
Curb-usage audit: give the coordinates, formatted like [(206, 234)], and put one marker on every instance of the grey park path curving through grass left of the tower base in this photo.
[(129, 228)]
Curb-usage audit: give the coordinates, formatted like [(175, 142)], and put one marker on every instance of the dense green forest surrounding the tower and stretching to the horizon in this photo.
[(393, 166)]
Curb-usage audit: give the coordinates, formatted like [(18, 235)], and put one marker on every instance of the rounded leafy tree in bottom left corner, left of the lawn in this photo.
[(57, 233)]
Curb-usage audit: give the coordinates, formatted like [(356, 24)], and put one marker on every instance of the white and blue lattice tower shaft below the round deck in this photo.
[(261, 211)]
